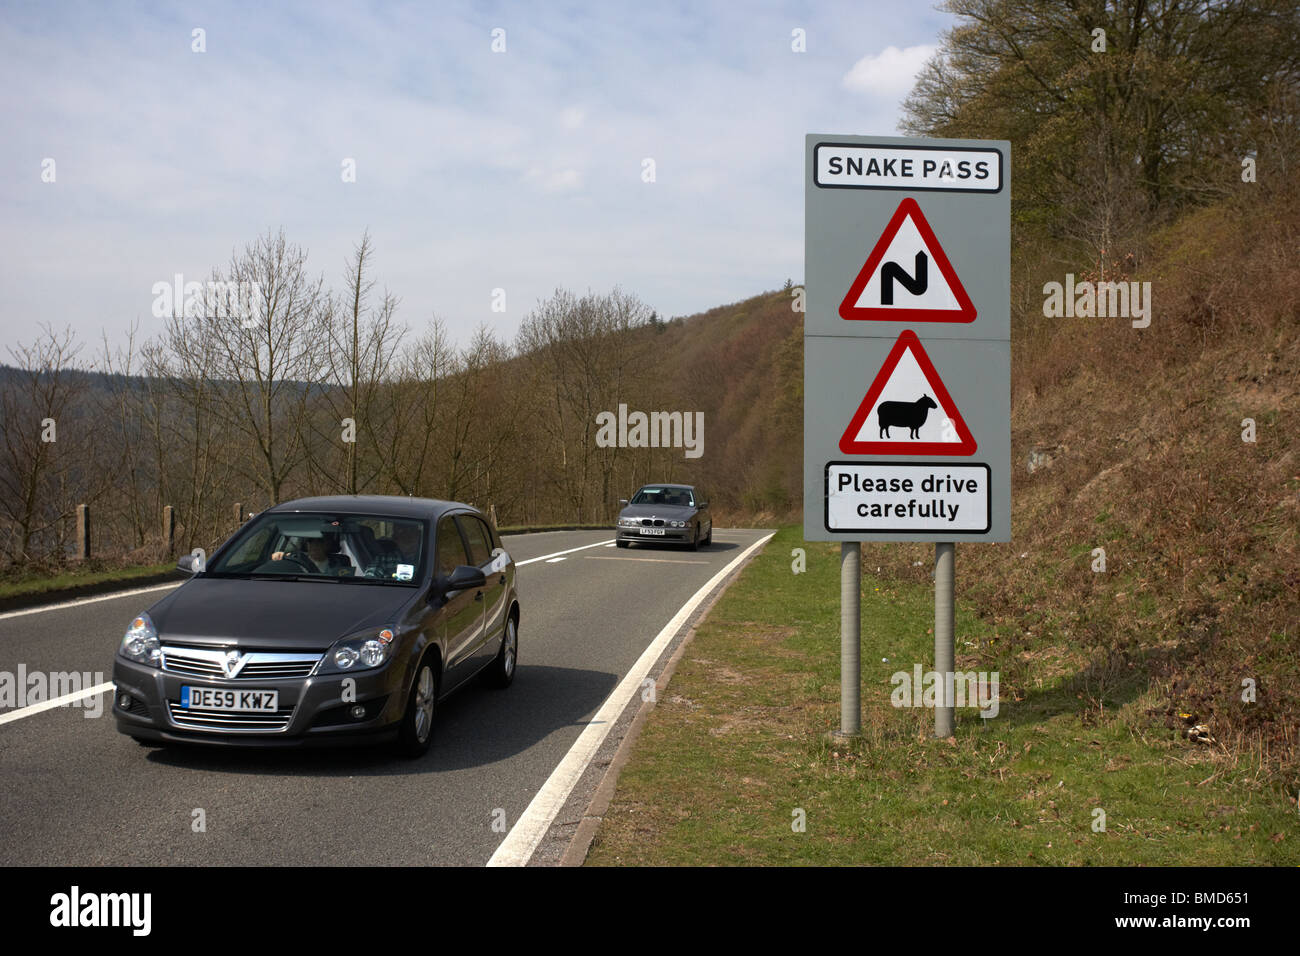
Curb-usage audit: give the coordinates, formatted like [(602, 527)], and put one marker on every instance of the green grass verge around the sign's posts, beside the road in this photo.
[(739, 746)]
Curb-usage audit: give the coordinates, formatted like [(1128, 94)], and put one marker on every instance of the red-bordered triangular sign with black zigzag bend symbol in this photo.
[(908, 276)]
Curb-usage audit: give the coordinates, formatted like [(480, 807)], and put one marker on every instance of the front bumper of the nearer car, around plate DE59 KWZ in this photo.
[(314, 711)]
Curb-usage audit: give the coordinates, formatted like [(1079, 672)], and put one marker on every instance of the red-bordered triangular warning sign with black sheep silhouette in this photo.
[(908, 410)]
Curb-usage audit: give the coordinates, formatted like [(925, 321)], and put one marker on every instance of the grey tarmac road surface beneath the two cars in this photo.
[(77, 793)]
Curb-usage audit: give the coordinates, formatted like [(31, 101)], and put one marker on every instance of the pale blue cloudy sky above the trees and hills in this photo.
[(475, 171)]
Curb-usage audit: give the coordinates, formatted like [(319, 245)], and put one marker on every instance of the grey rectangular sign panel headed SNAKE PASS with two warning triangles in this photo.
[(907, 423)]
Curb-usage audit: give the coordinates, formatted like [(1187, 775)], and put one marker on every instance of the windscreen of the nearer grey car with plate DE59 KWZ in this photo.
[(365, 550)]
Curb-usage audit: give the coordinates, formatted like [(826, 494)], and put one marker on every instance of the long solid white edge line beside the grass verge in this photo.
[(522, 842)]
